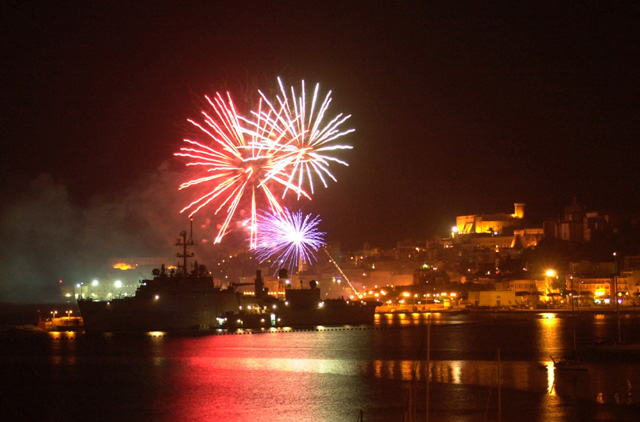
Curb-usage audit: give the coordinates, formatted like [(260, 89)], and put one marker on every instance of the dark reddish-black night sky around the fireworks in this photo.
[(459, 108)]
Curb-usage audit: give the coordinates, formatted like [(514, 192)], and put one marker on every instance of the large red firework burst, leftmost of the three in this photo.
[(236, 166)]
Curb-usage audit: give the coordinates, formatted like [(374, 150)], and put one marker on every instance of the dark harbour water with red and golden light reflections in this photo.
[(481, 366)]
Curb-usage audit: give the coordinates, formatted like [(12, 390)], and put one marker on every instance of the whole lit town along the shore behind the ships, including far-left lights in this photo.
[(581, 258)]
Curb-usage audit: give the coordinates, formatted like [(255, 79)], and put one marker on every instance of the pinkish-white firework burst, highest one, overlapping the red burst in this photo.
[(302, 141)]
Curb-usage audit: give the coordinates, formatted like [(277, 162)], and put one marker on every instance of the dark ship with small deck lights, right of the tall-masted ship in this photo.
[(301, 308)]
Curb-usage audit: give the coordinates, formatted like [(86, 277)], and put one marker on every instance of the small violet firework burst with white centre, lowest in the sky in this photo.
[(289, 238)]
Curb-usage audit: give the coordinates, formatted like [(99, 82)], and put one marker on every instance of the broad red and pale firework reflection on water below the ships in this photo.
[(236, 383)]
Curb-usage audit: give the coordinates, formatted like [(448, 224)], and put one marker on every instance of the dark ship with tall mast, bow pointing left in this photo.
[(171, 300)]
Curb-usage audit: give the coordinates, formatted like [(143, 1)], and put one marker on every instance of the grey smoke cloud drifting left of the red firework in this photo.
[(48, 238)]
